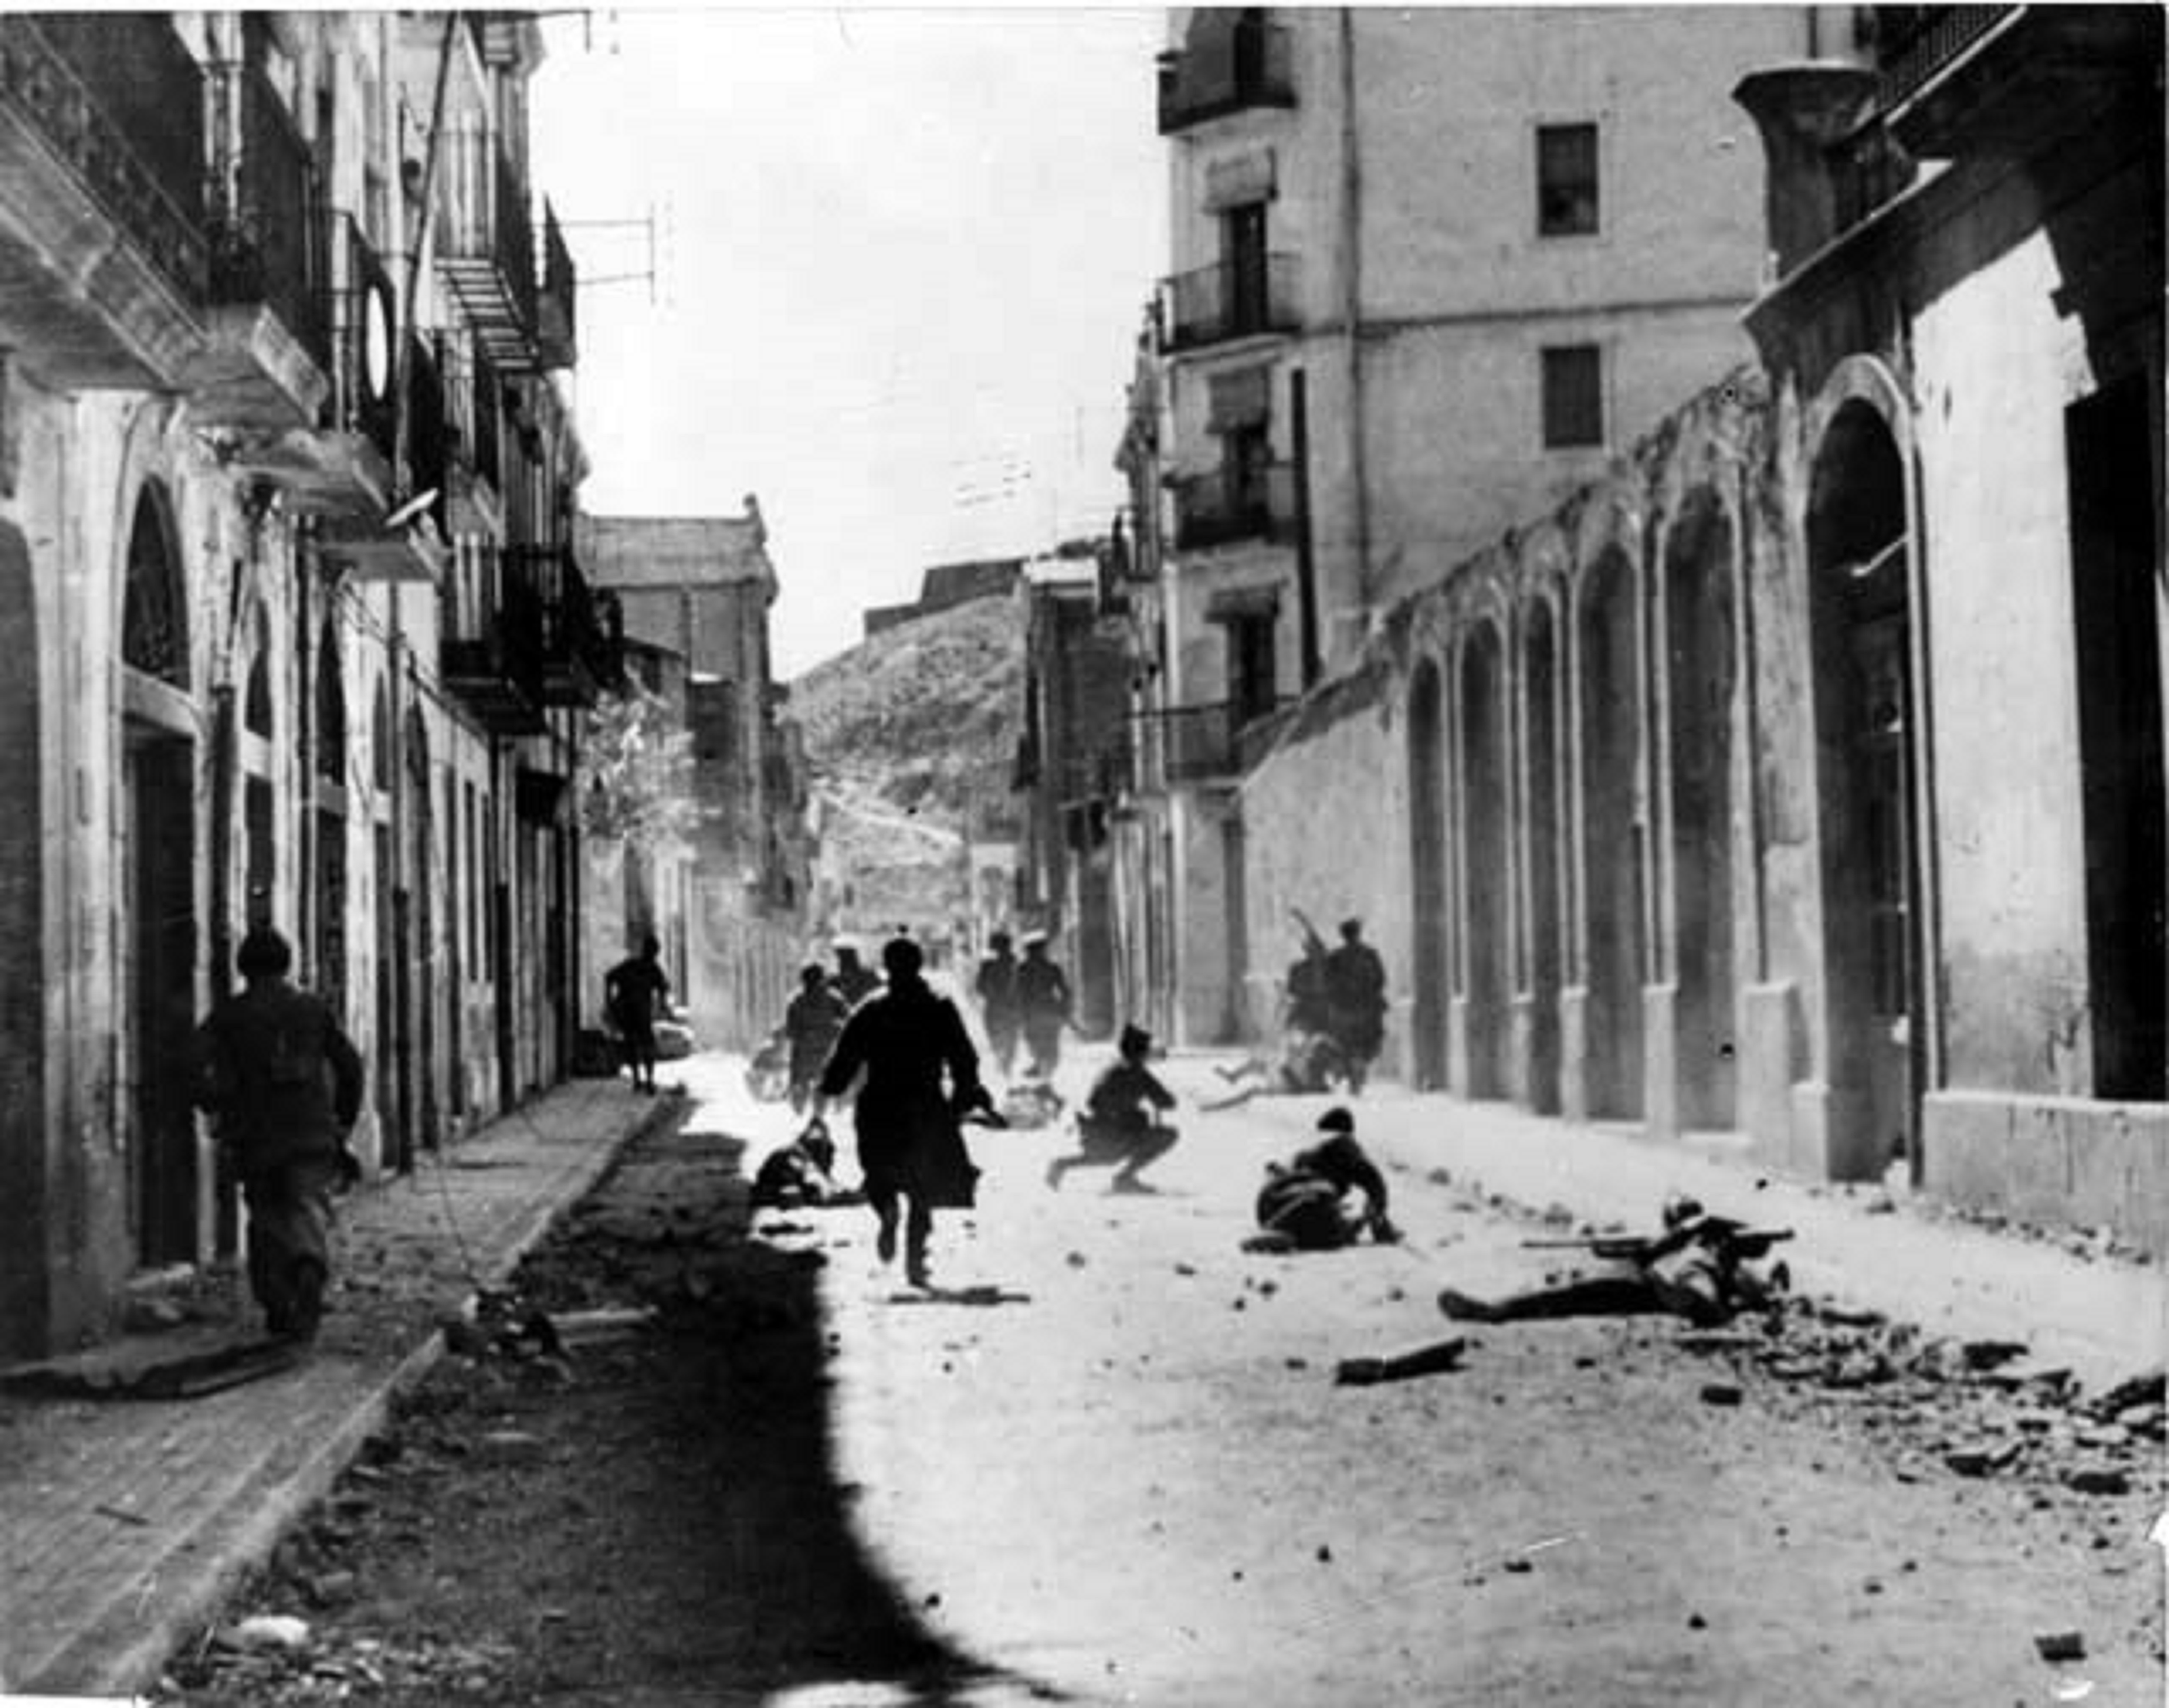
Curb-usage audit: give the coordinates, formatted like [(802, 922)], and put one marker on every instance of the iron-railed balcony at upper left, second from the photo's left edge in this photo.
[(268, 359)]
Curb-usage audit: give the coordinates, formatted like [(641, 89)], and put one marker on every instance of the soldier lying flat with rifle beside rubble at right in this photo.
[(1702, 1267)]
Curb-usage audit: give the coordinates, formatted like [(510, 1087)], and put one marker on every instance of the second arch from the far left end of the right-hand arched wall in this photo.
[(1485, 859)]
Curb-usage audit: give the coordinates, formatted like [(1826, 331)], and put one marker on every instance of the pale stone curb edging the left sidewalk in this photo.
[(123, 1651)]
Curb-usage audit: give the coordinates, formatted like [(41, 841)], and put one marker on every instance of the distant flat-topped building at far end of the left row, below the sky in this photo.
[(702, 586)]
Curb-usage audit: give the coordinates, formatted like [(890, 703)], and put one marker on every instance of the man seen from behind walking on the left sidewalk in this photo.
[(285, 1085)]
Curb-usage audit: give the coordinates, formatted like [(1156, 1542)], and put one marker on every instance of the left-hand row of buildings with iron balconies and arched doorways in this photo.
[(283, 530)]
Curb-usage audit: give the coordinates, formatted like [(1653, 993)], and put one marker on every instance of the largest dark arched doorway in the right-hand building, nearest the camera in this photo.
[(1864, 760)]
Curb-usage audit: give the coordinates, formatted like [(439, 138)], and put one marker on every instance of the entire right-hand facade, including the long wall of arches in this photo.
[(1801, 777)]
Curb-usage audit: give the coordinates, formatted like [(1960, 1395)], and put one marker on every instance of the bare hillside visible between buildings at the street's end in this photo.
[(908, 734)]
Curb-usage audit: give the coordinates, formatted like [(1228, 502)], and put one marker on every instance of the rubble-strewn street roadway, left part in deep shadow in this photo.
[(1105, 1460)]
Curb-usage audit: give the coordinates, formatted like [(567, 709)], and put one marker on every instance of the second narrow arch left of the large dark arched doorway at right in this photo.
[(1610, 842)]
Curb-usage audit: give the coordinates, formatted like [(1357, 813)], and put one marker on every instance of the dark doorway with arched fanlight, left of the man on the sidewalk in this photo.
[(159, 872)]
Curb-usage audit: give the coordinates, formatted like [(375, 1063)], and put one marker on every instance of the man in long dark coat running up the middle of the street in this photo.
[(921, 1076)]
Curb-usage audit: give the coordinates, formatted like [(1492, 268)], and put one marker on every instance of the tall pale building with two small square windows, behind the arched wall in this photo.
[(1433, 270)]
